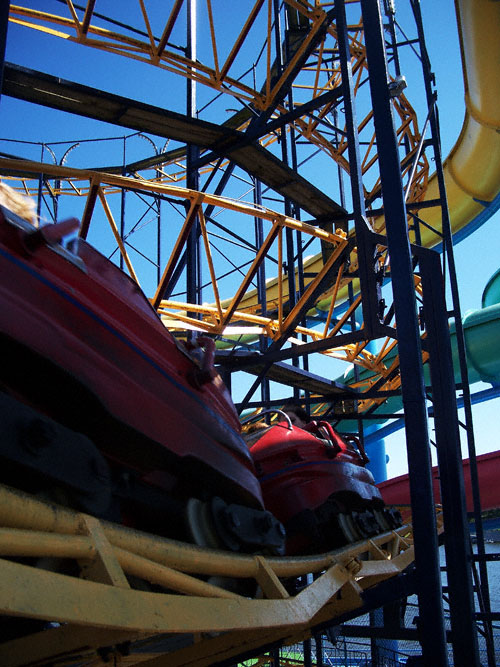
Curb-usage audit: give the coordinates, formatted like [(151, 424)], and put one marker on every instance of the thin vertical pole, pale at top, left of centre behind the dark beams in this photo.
[(193, 268)]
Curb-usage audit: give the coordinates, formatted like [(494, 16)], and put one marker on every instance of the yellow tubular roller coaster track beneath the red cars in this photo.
[(100, 590)]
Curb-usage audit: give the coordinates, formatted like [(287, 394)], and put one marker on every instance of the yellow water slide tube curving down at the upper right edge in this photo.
[(472, 169)]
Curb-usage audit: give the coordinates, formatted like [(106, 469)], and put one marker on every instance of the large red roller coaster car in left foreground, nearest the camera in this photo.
[(104, 410)]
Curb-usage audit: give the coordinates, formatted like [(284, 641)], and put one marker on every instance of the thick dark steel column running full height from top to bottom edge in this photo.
[(431, 621)]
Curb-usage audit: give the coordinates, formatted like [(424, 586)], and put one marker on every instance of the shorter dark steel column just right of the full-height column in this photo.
[(457, 539)]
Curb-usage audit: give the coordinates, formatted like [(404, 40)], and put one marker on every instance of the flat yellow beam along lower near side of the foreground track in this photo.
[(27, 591)]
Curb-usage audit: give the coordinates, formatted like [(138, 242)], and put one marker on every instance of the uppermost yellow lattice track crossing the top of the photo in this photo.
[(312, 69)]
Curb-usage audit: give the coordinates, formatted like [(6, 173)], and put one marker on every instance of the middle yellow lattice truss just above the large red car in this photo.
[(231, 318)]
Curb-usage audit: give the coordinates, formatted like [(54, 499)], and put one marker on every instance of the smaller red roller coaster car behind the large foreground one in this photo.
[(315, 482)]
